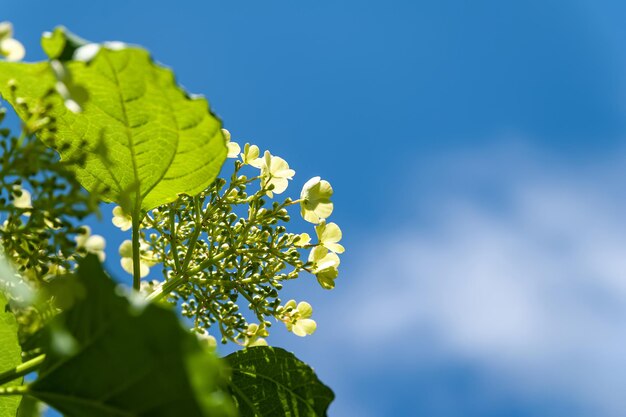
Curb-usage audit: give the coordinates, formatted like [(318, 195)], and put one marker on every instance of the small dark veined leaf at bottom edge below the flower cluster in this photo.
[(269, 381)]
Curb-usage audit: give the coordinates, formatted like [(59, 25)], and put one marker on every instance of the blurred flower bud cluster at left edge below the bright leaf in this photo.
[(42, 207)]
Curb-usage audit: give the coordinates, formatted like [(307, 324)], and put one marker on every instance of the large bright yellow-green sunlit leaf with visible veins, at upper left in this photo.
[(145, 139)]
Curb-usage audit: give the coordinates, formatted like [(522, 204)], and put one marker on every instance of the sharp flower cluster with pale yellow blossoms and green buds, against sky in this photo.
[(229, 244)]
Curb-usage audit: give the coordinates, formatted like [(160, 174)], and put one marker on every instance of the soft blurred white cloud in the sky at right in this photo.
[(517, 264)]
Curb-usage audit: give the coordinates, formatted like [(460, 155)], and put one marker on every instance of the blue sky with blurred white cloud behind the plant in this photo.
[(476, 152)]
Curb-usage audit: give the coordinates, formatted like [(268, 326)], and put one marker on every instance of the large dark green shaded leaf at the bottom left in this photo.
[(115, 358)]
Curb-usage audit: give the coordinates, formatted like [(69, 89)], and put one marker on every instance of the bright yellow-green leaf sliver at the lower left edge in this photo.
[(10, 356)]
